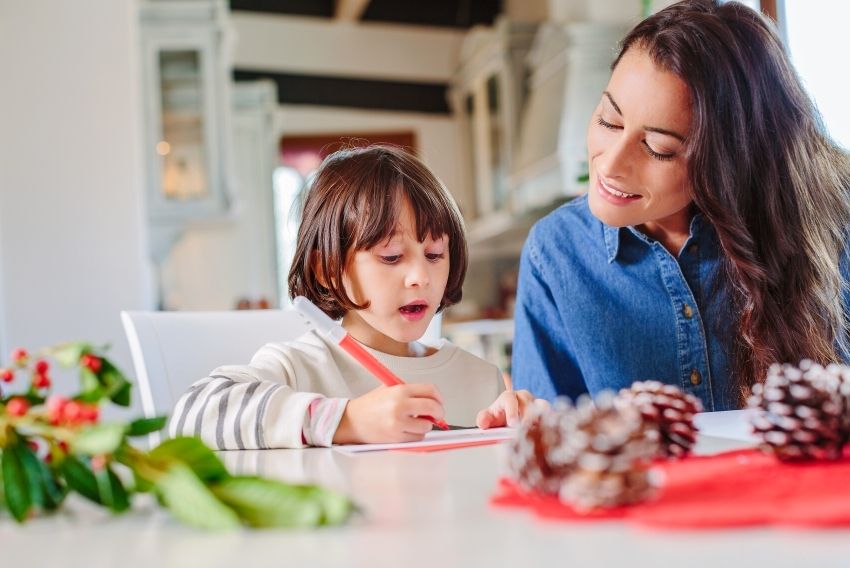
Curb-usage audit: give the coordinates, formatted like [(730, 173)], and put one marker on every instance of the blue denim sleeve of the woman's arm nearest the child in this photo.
[(542, 361)]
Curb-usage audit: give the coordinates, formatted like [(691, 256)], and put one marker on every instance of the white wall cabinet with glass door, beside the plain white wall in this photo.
[(185, 81)]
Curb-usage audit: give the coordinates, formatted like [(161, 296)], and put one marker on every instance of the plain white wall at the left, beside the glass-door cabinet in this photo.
[(71, 220)]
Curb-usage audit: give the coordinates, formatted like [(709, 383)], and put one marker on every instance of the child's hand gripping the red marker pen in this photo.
[(390, 414)]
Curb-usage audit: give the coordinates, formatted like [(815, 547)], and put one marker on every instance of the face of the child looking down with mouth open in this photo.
[(403, 280)]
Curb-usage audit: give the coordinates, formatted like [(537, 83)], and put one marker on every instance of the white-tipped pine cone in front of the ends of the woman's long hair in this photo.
[(799, 414)]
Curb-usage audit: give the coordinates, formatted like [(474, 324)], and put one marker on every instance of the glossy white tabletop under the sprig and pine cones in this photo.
[(425, 510)]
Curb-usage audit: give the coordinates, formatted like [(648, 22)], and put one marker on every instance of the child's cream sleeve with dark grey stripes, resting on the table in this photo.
[(246, 407)]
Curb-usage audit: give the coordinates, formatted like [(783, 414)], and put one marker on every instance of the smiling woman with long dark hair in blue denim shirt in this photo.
[(711, 241)]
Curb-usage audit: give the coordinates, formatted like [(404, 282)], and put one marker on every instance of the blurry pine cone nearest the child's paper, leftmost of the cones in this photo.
[(534, 459)]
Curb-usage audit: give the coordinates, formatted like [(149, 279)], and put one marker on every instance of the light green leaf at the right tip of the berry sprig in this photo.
[(268, 503)]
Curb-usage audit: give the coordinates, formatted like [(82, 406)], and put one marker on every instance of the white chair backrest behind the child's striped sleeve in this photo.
[(172, 350)]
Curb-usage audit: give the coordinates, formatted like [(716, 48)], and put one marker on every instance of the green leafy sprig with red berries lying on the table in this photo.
[(51, 446)]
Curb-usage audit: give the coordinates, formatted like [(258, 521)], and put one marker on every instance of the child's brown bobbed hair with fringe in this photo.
[(354, 203)]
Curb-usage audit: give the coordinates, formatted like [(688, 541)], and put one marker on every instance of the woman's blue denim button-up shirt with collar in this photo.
[(600, 307)]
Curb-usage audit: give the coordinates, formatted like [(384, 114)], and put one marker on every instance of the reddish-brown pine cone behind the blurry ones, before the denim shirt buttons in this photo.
[(668, 409)]
